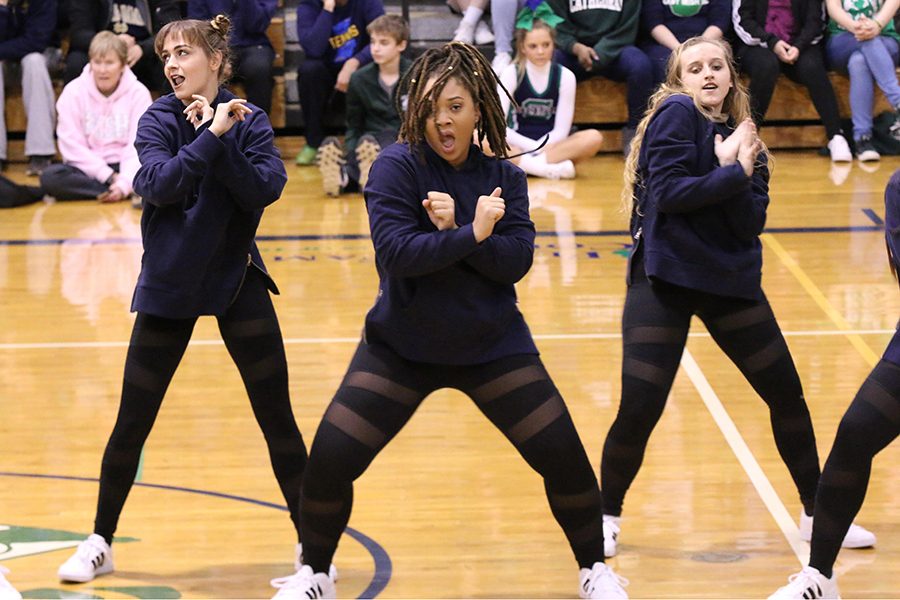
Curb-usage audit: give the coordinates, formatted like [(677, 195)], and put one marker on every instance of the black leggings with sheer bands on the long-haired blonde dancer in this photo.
[(655, 326)]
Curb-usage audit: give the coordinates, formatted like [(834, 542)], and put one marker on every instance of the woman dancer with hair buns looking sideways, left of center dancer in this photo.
[(209, 166)]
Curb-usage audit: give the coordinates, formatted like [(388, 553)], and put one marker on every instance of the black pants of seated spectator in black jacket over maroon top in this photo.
[(763, 67)]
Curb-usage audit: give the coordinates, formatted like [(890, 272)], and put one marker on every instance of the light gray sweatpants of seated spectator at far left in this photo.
[(40, 105)]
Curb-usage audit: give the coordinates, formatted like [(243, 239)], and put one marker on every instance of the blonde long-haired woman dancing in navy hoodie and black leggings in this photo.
[(697, 189)]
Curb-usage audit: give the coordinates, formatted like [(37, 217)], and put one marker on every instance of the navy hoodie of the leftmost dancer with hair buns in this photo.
[(203, 200)]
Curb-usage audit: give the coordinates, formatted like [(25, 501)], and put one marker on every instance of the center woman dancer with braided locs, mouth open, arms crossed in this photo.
[(452, 236)]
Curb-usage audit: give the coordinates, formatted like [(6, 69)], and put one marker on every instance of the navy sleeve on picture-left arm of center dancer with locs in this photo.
[(402, 246)]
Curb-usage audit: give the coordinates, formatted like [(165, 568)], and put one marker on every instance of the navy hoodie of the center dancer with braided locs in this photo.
[(444, 298)]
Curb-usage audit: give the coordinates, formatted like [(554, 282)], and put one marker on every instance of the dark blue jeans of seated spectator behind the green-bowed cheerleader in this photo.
[(631, 66)]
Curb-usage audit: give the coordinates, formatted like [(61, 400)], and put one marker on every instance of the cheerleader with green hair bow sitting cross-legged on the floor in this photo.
[(545, 93)]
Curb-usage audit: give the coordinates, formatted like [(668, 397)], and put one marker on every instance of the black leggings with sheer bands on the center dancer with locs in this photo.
[(380, 393)]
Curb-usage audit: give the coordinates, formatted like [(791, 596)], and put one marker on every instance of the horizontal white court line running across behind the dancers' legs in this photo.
[(354, 340)]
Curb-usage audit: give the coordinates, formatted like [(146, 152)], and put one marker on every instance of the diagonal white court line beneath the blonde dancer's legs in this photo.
[(762, 484)]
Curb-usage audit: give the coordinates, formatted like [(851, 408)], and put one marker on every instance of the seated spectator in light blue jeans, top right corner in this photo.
[(862, 43)]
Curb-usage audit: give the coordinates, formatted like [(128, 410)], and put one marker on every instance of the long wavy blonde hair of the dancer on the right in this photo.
[(735, 108)]
